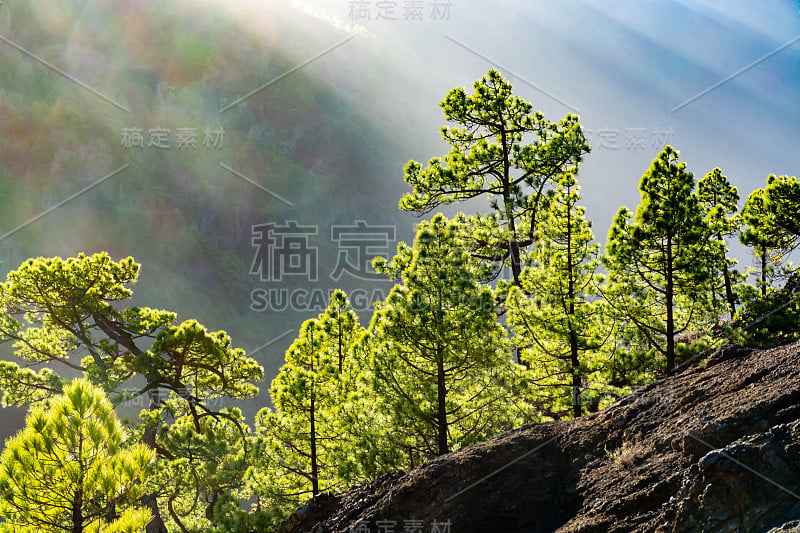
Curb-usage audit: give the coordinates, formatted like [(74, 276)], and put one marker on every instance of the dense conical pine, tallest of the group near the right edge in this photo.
[(660, 261)]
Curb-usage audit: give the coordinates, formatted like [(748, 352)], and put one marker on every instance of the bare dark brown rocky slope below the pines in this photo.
[(715, 447)]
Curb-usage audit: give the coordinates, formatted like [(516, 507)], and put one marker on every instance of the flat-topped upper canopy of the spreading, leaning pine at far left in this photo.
[(55, 308)]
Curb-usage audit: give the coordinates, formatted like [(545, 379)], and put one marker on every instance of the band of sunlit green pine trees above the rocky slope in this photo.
[(505, 314)]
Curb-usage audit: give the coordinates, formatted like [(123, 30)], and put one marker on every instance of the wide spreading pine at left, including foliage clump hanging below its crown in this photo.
[(56, 310)]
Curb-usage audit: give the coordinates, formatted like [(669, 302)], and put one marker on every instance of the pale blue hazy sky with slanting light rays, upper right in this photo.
[(718, 80)]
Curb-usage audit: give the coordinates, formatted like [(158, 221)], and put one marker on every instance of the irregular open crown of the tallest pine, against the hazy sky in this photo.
[(503, 151)]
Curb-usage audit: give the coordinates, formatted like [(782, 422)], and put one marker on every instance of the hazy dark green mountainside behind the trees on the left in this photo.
[(307, 147)]
